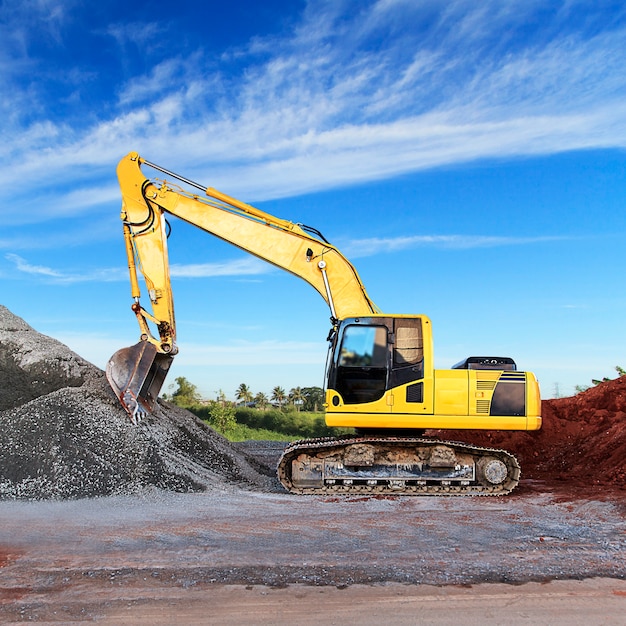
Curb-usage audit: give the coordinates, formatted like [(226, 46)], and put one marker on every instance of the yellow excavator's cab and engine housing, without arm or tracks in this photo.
[(381, 376)]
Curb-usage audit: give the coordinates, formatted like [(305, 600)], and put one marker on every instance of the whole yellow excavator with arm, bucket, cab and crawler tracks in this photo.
[(380, 377)]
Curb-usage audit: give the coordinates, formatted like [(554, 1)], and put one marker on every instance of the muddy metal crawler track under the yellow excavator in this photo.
[(396, 465)]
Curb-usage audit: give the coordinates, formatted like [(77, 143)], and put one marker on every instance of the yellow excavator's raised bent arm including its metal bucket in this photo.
[(137, 373)]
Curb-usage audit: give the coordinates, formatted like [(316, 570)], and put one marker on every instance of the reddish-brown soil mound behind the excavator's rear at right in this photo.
[(582, 440)]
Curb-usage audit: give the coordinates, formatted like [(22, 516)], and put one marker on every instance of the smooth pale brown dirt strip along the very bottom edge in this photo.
[(559, 603)]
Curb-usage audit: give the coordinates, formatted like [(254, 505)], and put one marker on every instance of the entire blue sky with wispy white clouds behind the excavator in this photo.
[(469, 157)]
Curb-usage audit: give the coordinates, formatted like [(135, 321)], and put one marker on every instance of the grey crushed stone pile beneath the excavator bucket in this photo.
[(63, 433)]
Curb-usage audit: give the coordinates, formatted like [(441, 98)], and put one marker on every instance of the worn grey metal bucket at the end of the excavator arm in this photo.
[(136, 375)]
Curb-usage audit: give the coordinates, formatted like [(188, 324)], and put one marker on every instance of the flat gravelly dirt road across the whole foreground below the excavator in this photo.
[(229, 556)]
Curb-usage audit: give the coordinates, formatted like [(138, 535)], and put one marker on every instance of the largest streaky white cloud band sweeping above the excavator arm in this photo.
[(348, 96)]
